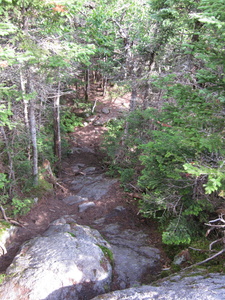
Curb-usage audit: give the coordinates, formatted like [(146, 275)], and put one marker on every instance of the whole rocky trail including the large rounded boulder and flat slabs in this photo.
[(129, 252)]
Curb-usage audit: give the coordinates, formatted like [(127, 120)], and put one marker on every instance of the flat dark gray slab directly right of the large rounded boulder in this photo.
[(135, 262)]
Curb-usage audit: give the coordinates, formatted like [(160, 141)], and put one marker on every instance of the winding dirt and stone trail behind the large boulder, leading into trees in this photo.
[(82, 171)]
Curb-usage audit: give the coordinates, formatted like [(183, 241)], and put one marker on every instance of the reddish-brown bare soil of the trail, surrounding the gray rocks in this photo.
[(52, 207)]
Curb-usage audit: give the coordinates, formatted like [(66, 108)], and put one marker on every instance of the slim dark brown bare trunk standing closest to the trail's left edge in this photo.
[(57, 133)]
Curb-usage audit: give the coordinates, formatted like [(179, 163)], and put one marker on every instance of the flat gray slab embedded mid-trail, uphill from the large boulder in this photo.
[(92, 187)]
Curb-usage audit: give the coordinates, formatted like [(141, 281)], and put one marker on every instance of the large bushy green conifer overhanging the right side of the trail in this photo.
[(175, 159)]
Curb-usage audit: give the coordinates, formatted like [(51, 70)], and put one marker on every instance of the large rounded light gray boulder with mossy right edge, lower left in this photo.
[(67, 262)]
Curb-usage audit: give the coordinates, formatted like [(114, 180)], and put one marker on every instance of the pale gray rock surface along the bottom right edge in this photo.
[(186, 286)]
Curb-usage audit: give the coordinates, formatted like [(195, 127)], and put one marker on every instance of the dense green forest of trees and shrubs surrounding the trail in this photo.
[(169, 55)]
